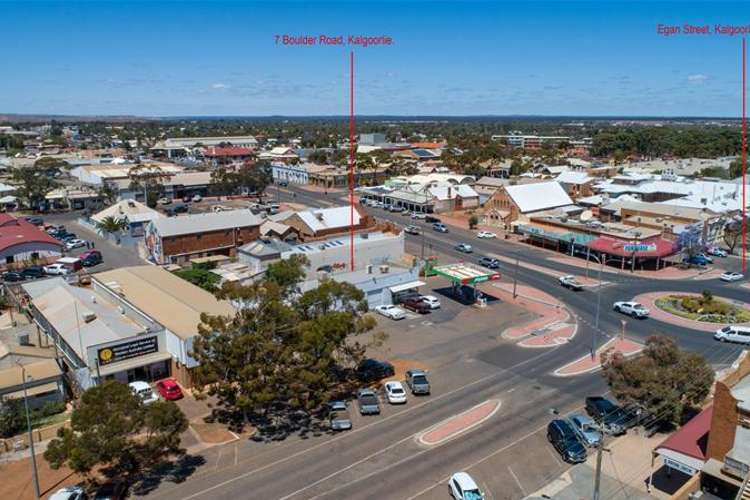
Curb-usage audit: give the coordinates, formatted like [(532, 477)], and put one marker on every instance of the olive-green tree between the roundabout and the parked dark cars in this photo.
[(663, 380)]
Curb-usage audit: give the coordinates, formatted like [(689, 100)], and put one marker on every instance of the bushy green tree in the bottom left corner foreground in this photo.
[(112, 429)]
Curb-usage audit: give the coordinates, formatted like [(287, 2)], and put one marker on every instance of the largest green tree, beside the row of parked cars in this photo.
[(276, 360)]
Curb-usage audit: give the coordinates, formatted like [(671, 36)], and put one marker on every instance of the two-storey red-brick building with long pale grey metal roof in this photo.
[(175, 240)]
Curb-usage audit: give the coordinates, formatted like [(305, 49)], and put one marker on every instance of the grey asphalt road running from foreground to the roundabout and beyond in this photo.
[(508, 455)]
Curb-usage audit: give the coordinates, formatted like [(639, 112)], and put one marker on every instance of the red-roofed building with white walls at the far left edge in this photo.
[(22, 241)]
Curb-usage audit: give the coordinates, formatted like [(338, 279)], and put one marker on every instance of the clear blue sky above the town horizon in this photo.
[(448, 58)]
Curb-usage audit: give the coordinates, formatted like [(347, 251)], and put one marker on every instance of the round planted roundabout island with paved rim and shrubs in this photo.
[(695, 311)]
